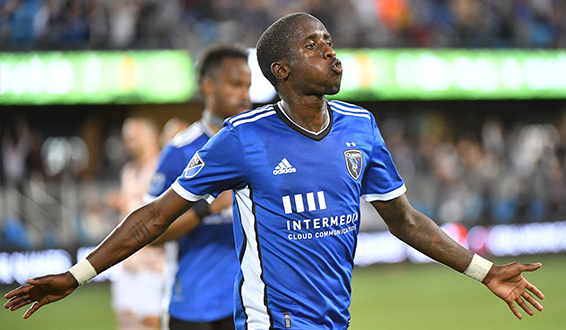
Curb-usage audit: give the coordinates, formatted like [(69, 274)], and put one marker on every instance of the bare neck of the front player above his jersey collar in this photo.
[(309, 113)]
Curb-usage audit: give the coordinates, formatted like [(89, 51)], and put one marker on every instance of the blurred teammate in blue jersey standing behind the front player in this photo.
[(203, 261)]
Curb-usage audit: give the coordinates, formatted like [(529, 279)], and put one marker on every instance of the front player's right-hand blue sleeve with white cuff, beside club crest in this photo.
[(381, 180)]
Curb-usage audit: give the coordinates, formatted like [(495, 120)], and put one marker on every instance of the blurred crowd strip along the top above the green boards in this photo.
[(193, 24)]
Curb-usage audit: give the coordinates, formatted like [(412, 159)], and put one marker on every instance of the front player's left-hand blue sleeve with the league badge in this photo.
[(218, 166)]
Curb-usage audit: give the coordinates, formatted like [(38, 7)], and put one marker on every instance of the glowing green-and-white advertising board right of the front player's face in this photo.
[(452, 74)]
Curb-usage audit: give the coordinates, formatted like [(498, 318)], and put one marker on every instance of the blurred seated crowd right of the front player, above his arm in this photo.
[(499, 175)]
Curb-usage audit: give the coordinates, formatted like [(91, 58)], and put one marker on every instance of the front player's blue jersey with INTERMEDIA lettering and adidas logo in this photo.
[(296, 209)]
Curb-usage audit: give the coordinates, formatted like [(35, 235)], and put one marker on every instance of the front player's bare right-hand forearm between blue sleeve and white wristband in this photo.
[(420, 232)]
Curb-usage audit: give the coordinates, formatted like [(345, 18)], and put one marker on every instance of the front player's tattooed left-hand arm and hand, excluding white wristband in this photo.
[(138, 229)]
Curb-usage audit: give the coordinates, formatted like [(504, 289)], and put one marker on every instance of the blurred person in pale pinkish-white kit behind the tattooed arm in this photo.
[(137, 290)]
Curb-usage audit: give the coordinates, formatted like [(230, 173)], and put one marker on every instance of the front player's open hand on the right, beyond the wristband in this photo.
[(508, 284)]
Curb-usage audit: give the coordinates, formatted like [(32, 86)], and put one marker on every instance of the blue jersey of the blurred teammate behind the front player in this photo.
[(206, 262)]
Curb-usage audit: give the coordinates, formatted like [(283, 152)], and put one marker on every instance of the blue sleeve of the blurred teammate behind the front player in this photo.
[(172, 161)]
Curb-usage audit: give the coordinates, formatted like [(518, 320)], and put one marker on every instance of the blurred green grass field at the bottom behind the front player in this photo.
[(399, 297)]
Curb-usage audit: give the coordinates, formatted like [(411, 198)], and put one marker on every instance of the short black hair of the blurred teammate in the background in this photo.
[(213, 57)]
